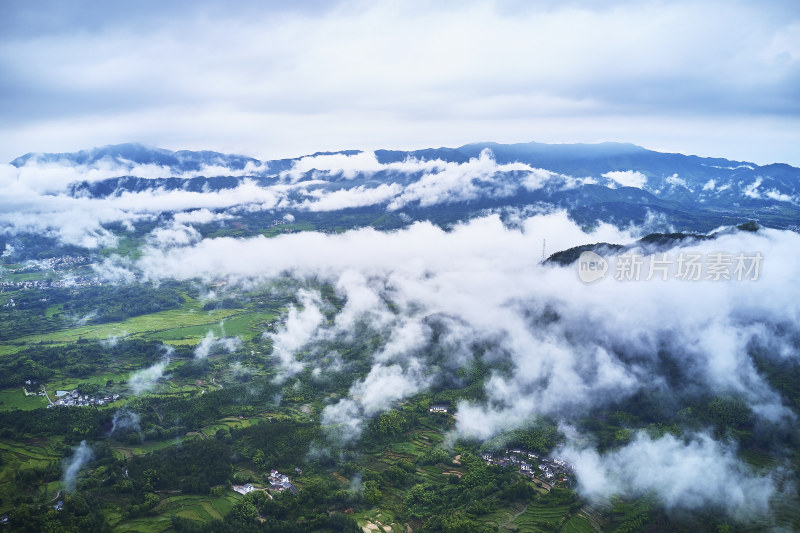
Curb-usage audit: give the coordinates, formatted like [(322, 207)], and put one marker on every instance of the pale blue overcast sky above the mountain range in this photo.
[(282, 79)]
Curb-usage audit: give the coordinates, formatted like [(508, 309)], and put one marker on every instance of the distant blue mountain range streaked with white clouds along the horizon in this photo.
[(614, 182)]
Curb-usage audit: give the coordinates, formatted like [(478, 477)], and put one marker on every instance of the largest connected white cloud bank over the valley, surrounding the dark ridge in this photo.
[(487, 278)]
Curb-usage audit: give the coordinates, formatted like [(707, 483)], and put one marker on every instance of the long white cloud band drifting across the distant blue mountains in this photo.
[(37, 197)]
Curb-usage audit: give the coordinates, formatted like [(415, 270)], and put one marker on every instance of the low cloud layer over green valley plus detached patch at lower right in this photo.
[(568, 347)]
